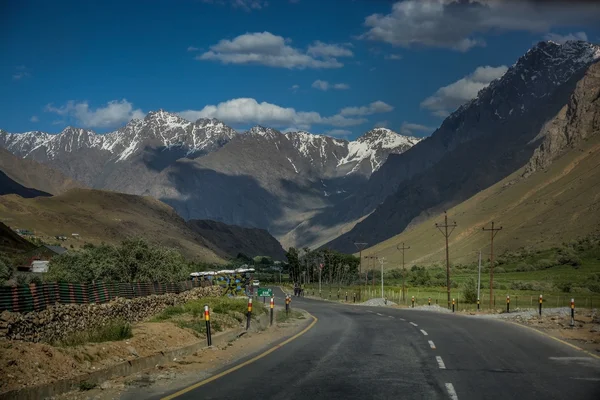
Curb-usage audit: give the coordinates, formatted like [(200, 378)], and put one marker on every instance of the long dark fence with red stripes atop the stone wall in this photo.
[(38, 297)]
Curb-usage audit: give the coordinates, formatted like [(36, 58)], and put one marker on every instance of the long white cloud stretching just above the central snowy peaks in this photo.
[(244, 111)]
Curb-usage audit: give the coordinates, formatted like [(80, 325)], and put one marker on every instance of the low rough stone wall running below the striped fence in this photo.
[(56, 322)]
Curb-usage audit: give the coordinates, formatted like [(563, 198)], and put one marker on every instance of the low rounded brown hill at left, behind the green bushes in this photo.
[(99, 216)]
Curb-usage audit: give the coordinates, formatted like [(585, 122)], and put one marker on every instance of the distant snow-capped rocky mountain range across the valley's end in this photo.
[(207, 170)]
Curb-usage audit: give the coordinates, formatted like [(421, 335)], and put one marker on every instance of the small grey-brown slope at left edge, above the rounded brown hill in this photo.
[(32, 174)]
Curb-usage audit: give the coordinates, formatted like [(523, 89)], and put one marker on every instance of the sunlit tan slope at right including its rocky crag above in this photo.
[(555, 197)]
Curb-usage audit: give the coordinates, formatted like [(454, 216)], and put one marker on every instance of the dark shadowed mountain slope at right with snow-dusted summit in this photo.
[(481, 143)]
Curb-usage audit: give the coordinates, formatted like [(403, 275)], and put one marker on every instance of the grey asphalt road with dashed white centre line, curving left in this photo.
[(357, 352)]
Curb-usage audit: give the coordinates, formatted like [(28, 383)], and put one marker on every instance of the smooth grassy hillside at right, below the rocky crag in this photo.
[(544, 210)]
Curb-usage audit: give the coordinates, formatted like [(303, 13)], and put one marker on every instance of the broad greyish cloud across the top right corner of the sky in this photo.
[(459, 25)]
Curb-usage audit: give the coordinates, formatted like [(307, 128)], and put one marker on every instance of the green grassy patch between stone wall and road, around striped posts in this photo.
[(225, 312)]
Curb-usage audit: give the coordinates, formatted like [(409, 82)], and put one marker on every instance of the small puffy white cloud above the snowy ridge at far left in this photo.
[(115, 113)]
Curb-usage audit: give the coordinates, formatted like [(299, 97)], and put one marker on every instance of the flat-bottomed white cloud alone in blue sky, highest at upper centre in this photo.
[(264, 48)]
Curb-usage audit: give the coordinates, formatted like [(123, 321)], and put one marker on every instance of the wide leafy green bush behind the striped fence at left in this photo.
[(133, 260)]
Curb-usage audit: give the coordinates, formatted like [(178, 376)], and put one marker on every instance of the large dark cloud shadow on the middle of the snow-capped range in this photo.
[(207, 194)]
